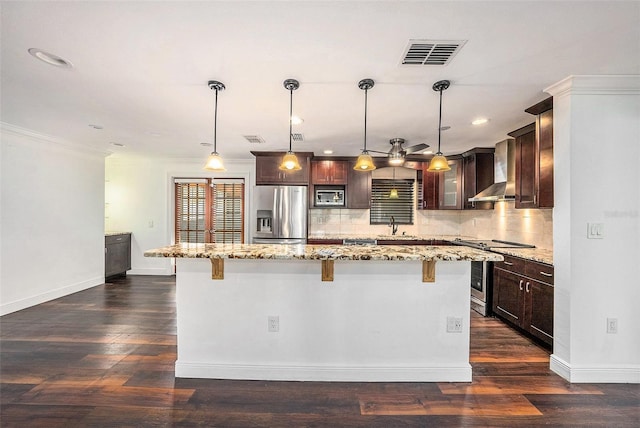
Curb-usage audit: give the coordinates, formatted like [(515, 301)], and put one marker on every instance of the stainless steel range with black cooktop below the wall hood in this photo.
[(482, 272)]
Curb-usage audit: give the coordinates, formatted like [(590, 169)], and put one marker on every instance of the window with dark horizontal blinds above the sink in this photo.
[(383, 206)]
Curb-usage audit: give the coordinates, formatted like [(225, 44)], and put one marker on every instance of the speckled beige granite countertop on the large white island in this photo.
[(324, 252)]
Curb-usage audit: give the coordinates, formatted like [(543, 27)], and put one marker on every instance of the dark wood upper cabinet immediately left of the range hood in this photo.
[(478, 174)]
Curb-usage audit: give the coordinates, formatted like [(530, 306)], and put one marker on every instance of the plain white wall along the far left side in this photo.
[(52, 221)]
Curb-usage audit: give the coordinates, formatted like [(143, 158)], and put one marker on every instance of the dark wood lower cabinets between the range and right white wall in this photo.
[(522, 299)]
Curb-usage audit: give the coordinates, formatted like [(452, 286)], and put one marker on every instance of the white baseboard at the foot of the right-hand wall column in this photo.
[(595, 374)]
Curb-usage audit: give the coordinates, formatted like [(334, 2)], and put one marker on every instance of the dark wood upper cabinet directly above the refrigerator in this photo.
[(268, 172)]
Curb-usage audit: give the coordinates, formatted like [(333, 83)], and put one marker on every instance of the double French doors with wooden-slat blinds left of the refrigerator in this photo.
[(209, 210)]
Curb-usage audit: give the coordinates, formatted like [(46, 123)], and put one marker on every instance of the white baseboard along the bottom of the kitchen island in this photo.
[(323, 373)]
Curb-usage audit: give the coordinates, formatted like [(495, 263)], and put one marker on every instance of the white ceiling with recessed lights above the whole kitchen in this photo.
[(140, 70)]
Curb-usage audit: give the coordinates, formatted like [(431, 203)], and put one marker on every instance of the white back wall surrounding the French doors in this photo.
[(139, 199)]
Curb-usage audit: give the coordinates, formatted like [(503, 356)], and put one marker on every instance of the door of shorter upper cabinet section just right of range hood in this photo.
[(526, 170)]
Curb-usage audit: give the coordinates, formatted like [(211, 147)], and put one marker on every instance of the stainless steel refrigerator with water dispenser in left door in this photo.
[(281, 215)]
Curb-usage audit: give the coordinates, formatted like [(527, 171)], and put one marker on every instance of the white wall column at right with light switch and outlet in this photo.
[(596, 158)]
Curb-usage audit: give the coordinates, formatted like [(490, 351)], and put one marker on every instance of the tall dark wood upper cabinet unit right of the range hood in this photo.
[(534, 159)]
